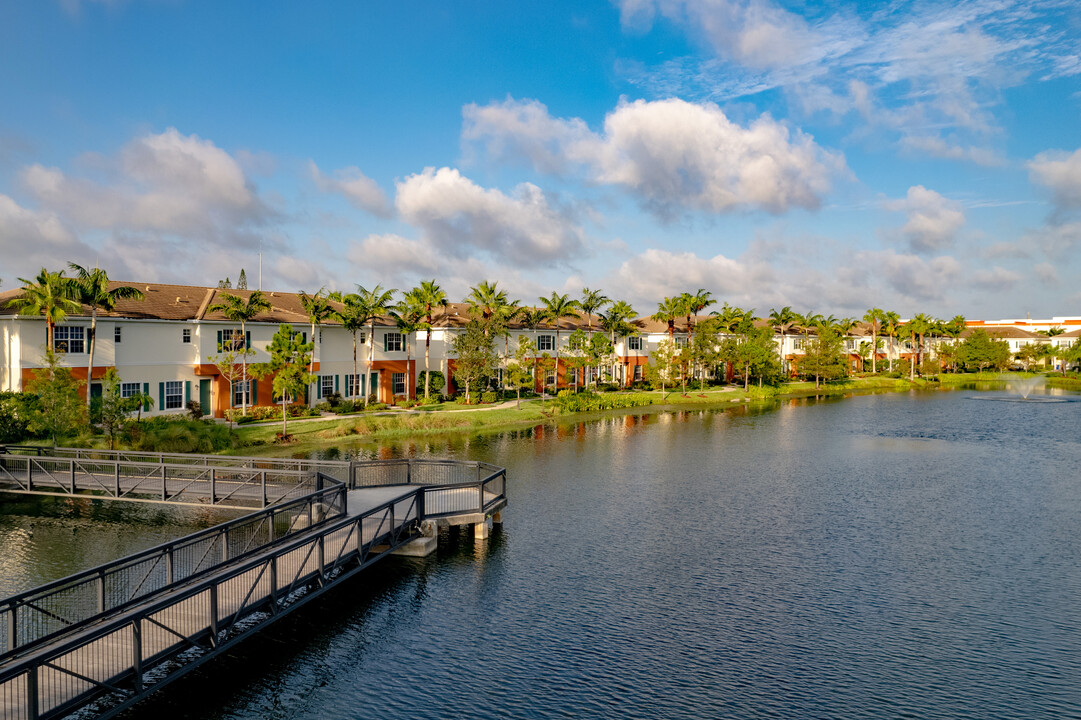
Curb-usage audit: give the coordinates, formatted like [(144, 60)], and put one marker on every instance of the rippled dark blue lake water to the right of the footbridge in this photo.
[(892, 556)]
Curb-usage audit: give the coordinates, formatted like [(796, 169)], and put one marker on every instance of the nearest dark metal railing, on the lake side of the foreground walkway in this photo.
[(142, 649)]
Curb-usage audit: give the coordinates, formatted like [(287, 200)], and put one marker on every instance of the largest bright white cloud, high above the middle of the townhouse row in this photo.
[(671, 154)]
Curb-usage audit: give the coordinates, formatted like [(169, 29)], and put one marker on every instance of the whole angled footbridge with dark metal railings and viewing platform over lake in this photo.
[(101, 641)]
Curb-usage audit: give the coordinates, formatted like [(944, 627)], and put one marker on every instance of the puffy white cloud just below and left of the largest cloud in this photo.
[(460, 218)]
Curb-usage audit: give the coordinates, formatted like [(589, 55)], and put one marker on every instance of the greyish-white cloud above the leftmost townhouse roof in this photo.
[(168, 183)]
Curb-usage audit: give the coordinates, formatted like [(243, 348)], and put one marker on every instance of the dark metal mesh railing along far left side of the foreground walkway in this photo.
[(30, 618)]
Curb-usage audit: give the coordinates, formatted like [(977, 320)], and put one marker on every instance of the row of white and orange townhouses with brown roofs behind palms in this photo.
[(166, 346)]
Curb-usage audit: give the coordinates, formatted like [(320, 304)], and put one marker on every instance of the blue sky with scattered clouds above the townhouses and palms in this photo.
[(918, 157)]
